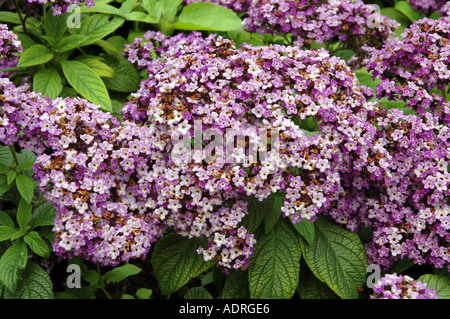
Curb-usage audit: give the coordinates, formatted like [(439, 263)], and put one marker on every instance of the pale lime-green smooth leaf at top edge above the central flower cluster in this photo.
[(207, 16)]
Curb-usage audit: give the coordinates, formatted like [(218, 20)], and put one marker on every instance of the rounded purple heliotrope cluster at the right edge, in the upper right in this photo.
[(413, 68)]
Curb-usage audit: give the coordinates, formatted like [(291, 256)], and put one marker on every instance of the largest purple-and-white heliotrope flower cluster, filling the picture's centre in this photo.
[(209, 83)]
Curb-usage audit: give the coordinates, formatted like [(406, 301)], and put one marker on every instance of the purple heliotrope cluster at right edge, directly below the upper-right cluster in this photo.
[(407, 206)]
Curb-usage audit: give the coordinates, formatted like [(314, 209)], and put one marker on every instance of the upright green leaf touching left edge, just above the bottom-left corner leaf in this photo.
[(13, 260)]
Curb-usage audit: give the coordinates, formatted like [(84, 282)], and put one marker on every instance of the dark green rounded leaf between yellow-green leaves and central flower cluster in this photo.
[(126, 78)]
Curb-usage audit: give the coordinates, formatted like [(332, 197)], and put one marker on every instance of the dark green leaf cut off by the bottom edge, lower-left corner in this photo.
[(34, 284)]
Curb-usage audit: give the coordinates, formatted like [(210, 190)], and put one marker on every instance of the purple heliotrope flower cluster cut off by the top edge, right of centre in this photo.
[(351, 22)]
